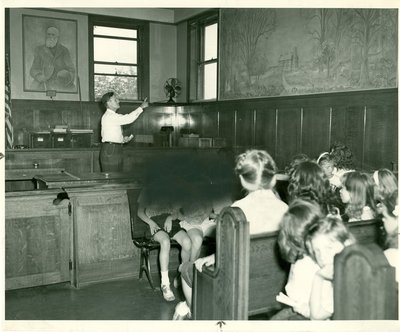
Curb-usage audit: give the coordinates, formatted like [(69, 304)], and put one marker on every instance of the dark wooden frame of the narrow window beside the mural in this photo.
[(199, 23)]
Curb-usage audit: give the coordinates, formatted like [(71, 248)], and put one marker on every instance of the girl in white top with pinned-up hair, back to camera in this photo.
[(263, 210)]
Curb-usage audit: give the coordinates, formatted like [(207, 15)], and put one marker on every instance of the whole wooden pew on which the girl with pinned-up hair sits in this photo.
[(249, 272)]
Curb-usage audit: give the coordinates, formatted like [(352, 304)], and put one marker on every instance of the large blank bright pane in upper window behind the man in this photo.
[(115, 50)]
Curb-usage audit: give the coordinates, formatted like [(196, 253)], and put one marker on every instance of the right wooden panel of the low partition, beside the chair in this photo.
[(102, 236)]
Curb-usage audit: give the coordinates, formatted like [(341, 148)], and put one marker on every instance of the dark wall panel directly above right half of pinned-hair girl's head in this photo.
[(265, 130)]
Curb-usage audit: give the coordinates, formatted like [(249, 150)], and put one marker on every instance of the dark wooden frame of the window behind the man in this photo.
[(142, 39)]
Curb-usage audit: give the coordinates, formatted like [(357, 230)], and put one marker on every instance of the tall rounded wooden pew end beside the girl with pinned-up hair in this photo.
[(221, 292)]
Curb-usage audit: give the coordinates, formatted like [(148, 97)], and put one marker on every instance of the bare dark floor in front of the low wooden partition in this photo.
[(127, 299)]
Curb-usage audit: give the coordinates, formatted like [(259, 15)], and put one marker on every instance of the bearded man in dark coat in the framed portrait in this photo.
[(52, 67)]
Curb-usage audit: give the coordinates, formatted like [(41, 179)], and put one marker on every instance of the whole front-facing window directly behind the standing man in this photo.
[(117, 61)]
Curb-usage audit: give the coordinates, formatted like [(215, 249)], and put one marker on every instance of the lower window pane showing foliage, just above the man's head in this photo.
[(125, 87)]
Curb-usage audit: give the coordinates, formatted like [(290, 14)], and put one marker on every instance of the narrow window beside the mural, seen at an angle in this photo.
[(204, 58)]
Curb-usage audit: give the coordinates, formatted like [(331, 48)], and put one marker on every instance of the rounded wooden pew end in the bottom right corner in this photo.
[(365, 287)]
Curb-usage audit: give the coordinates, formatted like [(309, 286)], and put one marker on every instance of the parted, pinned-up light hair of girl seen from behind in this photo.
[(256, 168)]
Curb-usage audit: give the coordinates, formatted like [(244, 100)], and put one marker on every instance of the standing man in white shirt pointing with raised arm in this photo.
[(111, 132)]
